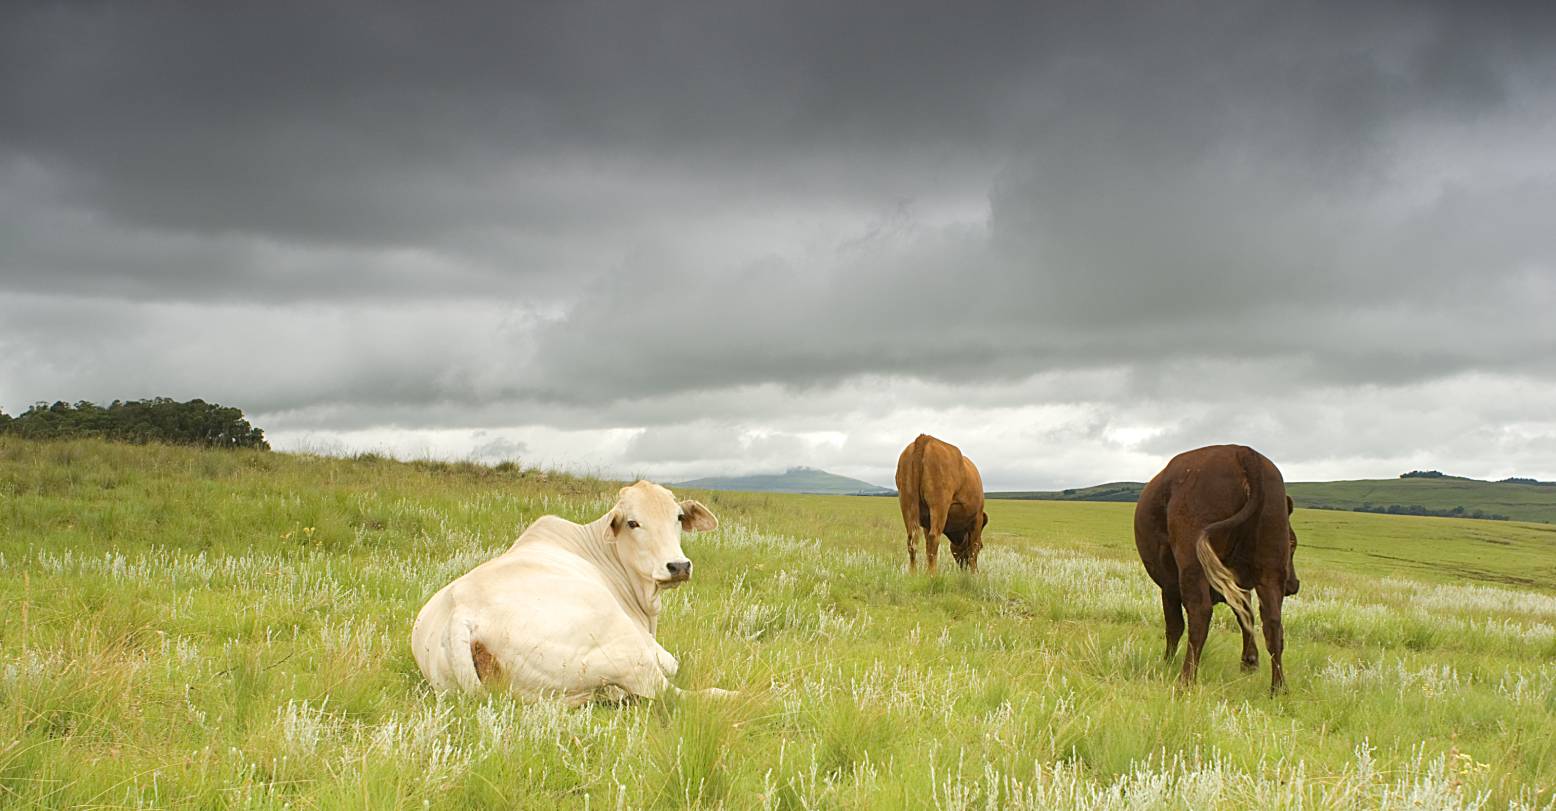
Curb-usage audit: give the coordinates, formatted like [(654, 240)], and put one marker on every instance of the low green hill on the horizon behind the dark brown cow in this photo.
[(1521, 502)]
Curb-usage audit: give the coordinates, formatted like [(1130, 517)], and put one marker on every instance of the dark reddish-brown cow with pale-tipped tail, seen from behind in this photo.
[(1211, 527)]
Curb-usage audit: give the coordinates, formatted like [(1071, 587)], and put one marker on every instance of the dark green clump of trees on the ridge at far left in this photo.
[(159, 420)]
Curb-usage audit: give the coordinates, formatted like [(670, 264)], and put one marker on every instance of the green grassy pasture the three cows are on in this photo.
[(228, 630)]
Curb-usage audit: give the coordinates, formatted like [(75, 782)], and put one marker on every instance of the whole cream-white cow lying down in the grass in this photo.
[(569, 611)]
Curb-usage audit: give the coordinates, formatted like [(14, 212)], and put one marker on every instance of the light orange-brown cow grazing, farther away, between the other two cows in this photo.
[(941, 491)]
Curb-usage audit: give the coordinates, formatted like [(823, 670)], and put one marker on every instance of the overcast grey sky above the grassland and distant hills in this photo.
[(676, 240)]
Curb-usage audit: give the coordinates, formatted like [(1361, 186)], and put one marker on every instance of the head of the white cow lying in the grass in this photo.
[(648, 524)]
